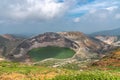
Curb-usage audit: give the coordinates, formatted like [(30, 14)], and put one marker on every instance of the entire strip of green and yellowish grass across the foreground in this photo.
[(18, 71)]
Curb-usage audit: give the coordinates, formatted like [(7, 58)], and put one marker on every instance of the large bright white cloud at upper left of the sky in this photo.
[(41, 9)]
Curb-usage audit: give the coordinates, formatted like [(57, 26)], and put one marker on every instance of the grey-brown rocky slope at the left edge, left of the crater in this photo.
[(8, 43)]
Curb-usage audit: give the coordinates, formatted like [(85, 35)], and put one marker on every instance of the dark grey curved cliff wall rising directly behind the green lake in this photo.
[(42, 40)]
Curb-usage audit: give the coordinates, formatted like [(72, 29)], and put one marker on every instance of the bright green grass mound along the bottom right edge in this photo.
[(91, 75)]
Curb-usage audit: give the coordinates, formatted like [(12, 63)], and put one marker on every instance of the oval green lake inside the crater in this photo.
[(50, 52)]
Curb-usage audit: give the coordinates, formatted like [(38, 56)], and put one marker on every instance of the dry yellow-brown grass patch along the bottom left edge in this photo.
[(30, 76)]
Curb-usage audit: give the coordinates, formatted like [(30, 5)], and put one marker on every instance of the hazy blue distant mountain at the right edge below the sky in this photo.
[(114, 32)]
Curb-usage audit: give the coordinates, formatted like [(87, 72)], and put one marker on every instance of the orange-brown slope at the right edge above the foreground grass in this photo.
[(112, 59)]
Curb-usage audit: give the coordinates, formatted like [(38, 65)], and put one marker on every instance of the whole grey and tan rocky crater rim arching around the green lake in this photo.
[(84, 46)]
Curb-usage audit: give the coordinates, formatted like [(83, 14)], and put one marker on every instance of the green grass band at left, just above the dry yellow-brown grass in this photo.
[(10, 67)]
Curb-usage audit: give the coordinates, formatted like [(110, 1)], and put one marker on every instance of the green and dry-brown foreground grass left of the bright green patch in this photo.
[(20, 71)]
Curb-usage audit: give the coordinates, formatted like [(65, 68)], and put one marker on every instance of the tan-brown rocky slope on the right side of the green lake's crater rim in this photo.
[(89, 46)]
